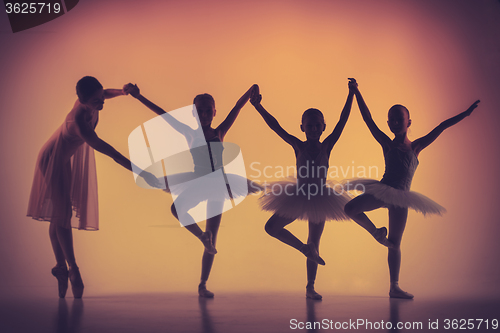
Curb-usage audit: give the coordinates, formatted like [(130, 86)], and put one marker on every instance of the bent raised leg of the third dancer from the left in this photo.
[(275, 227)]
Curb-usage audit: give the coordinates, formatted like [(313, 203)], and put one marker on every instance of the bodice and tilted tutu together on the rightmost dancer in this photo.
[(394, 187)]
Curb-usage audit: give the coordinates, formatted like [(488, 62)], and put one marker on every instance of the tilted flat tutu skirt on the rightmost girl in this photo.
[(392, 196)]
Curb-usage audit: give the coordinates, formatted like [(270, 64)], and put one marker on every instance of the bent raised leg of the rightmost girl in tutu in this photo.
[(355, 210)]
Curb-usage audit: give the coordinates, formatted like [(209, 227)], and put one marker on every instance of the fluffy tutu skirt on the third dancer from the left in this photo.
[(306, 202)]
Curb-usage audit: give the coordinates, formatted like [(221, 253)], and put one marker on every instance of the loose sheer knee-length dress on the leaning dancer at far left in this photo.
[(65, 178)]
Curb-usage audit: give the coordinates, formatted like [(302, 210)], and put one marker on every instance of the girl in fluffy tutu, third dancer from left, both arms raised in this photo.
[(310, 196)]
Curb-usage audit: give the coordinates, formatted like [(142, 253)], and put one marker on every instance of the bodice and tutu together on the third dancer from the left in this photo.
[(310, 196)]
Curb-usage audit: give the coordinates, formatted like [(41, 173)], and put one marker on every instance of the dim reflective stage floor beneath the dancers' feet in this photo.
[(240, 313)]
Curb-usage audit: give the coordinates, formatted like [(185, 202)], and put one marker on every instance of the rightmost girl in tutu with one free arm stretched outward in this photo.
[(393, 191)]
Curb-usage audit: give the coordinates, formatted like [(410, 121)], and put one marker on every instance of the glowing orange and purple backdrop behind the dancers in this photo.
[(435, 57)]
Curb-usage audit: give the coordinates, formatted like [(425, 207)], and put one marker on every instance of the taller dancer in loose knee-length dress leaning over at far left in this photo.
[(65, 179)]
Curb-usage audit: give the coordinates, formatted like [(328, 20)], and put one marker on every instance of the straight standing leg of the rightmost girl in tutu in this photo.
[(397, 224)]
